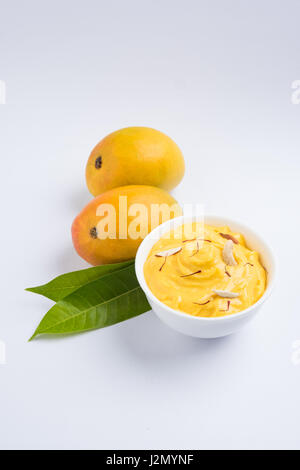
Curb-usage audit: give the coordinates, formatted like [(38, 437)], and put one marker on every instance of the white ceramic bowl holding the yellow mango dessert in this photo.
[(199, 326)]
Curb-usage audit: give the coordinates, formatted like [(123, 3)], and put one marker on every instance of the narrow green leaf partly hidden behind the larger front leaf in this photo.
[(65, 284)]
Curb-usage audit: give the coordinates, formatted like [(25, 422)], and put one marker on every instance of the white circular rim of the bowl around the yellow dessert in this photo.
[(139, 267)]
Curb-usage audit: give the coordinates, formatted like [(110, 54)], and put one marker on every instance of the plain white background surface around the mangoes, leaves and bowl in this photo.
[(216, 76)]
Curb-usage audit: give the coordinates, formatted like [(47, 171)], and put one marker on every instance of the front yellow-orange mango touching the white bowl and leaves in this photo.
[(112, 226)]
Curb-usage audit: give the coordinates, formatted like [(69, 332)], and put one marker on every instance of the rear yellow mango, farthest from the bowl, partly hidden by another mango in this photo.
[(134, 155)]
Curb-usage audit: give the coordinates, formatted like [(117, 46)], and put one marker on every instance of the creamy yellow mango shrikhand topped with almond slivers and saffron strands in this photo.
[(208, 273)]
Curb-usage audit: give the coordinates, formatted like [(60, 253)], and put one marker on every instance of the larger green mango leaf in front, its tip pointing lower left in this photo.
[(113, 298)]
